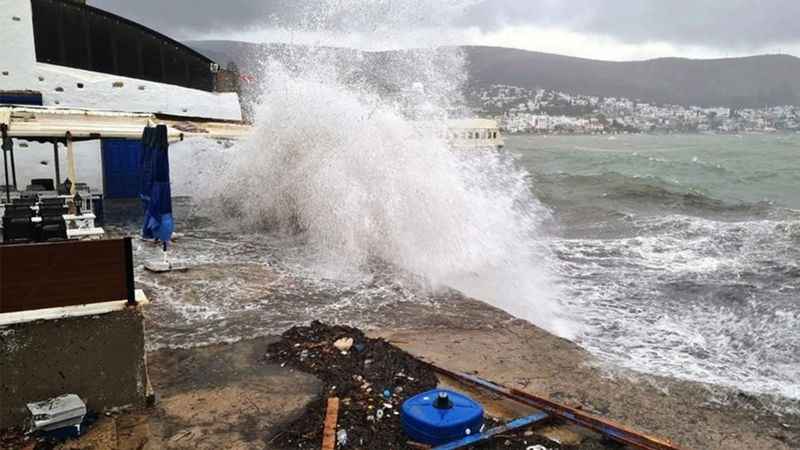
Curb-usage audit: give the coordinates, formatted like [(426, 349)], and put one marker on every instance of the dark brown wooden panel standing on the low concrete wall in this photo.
[(52, 275)]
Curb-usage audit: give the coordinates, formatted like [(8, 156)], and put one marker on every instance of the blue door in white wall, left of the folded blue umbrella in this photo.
[(121, 168)]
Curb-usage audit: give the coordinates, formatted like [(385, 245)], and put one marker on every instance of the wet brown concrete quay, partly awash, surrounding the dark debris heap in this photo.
[(223, 396)]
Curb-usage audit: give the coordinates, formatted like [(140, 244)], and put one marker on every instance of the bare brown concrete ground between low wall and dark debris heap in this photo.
[(220, 396)]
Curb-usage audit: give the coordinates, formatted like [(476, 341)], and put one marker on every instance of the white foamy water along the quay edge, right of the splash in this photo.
[(699, 307)]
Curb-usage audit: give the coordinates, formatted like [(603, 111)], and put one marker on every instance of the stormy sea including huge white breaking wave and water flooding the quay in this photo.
[(671, 255)]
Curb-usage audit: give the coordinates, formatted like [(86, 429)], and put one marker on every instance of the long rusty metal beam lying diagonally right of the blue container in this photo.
[(603, 426)]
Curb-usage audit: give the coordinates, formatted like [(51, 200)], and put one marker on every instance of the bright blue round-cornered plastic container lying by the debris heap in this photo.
[(440, 416)]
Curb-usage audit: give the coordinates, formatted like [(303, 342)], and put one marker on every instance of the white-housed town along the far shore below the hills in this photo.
[(520, 110)]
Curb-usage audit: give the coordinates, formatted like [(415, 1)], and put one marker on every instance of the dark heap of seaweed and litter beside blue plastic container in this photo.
[(361, 388)]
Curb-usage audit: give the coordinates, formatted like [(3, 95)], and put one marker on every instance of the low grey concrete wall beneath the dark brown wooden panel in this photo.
[(101, 358)]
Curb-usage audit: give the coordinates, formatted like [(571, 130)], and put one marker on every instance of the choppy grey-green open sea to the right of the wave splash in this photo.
[(680, 254)]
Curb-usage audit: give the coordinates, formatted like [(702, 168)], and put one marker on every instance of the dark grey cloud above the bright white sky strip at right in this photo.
[(713, 23)]
